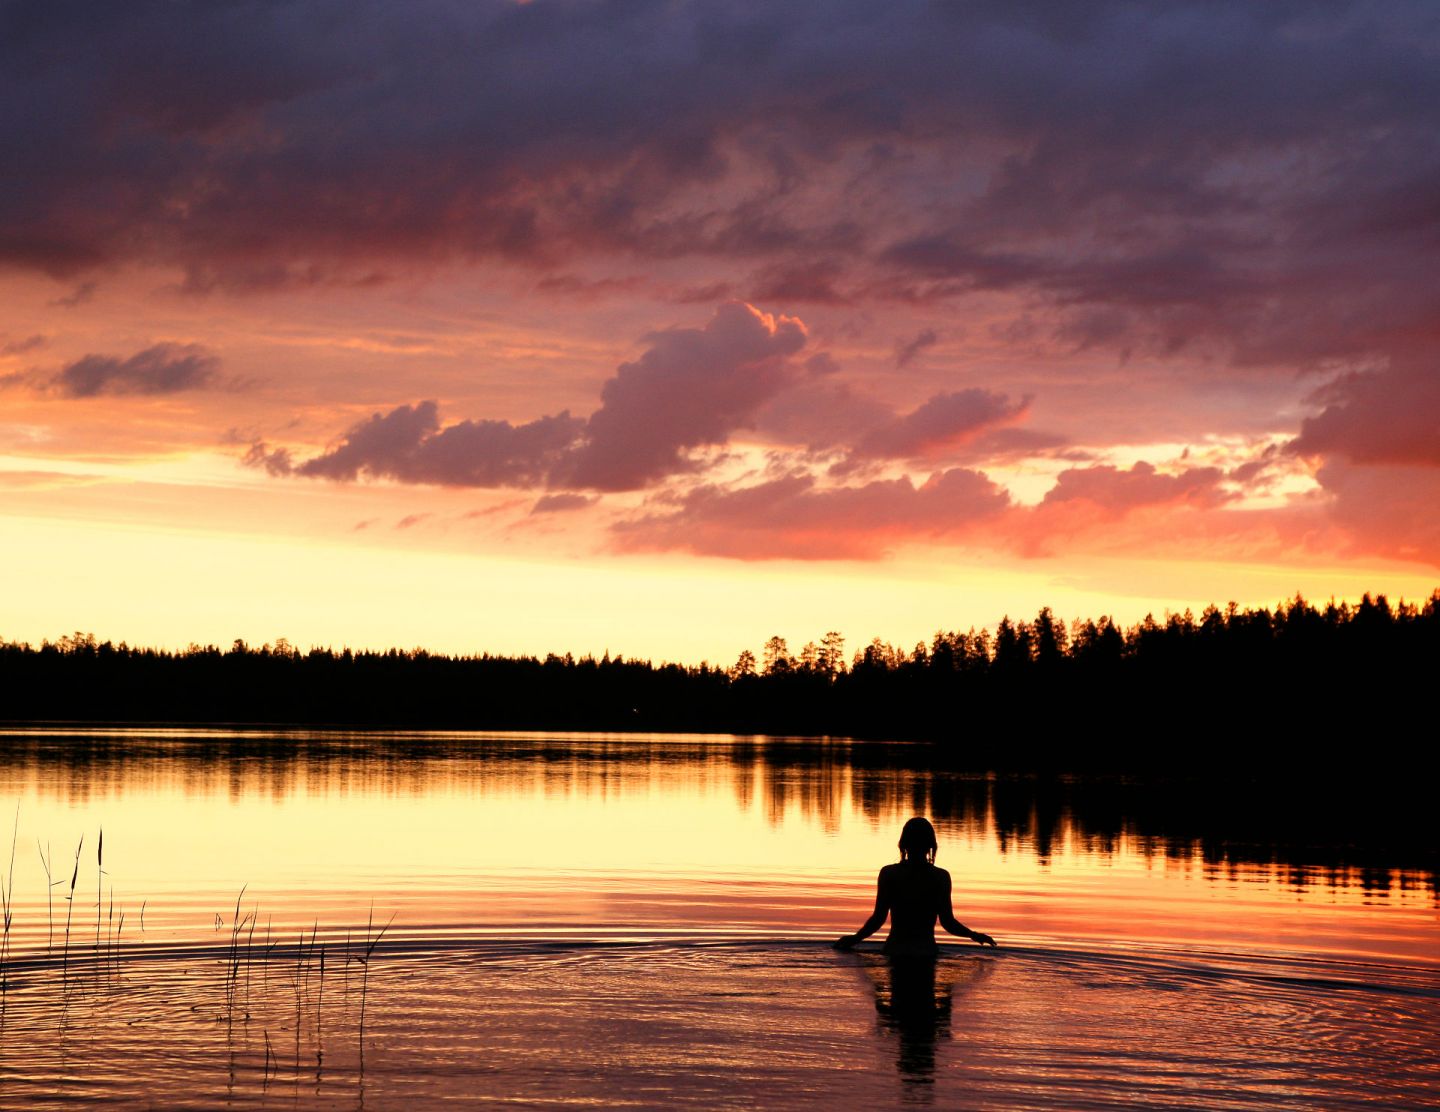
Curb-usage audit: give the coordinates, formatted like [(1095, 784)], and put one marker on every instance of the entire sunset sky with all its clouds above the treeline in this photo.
[(662, 328)]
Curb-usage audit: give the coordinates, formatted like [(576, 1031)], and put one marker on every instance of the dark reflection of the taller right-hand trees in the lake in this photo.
[(1343, 833)]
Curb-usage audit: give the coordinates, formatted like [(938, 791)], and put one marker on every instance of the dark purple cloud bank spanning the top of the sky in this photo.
[(1259, 176)]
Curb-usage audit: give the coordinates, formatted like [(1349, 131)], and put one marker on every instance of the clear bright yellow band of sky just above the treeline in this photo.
[(168, 587)]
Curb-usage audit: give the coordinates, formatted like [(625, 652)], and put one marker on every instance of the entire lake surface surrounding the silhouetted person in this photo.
[(208, 918)]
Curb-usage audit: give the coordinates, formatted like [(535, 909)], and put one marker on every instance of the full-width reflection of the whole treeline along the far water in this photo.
[(1338, 832)]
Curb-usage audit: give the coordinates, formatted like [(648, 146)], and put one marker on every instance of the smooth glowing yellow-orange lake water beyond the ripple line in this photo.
[(531, 836)]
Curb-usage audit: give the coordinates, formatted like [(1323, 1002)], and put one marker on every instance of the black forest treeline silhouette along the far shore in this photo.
[(1245, 683)]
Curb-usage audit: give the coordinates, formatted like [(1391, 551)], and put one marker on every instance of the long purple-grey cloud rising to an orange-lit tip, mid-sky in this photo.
[(690, 390)]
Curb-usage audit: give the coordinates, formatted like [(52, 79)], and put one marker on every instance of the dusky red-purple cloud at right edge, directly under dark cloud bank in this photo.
[(1380, 417)]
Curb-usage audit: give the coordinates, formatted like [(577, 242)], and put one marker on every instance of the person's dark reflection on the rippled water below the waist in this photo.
[(915, 999)]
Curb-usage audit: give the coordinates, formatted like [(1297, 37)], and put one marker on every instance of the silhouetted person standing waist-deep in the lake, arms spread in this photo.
[(914, 892)]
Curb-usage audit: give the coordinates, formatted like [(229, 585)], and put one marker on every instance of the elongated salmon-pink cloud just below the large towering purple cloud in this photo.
[(796, 518)]
